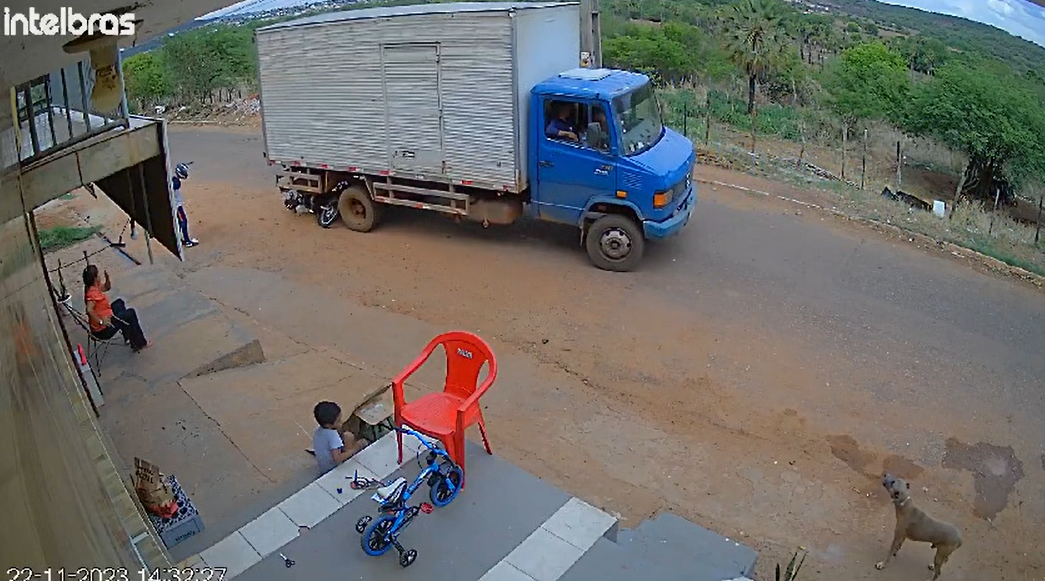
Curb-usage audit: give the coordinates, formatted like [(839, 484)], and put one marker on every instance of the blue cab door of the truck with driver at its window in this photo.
[(570, 170)]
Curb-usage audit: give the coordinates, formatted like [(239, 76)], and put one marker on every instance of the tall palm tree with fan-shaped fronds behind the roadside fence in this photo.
[(756, 40)]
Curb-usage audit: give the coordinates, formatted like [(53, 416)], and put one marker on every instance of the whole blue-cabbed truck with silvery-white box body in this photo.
[(479, 111)]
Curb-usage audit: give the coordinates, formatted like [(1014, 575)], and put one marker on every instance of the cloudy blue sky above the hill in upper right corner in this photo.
[(1017, 17)]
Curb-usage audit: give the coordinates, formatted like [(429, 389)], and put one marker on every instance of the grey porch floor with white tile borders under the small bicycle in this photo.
[(507, 525)]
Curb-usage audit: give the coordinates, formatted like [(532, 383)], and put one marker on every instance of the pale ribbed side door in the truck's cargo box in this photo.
[(413, 107)]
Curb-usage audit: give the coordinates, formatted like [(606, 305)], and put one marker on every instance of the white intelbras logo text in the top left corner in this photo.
[(66, 22)]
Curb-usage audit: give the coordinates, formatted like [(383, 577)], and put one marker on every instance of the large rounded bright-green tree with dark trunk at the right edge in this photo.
[(1000, 130)]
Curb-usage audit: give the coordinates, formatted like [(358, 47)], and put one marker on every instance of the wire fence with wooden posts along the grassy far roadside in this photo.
[(807, 147)]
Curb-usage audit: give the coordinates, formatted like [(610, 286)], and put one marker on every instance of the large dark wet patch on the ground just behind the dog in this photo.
[(995, 472)]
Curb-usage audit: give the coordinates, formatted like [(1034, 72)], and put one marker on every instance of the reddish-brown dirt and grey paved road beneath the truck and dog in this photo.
[(756, 377)]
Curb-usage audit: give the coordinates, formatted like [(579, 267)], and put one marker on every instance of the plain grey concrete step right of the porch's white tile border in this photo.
[(668, 549)]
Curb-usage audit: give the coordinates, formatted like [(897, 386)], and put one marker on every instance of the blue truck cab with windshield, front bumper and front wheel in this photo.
[(600, 158)]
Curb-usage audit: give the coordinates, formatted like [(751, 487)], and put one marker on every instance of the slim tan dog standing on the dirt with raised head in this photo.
[(915, 525)]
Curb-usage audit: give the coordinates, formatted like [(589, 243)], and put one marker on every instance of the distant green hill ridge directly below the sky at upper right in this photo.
[(960, 34)]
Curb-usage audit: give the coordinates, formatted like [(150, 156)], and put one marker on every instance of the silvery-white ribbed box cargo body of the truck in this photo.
[(437, 92)]
